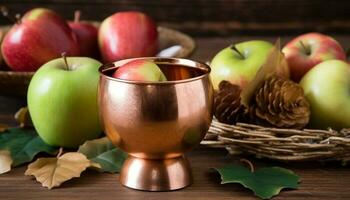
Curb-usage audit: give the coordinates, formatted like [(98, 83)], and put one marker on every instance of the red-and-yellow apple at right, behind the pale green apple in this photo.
[(307, 50)]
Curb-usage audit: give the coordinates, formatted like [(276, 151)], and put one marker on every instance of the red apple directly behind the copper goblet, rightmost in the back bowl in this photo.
[(127, 35)]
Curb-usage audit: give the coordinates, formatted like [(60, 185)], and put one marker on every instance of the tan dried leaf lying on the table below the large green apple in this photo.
[(52, 172)]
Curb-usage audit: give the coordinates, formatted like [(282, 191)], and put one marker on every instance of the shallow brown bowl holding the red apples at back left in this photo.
[(16, 83)]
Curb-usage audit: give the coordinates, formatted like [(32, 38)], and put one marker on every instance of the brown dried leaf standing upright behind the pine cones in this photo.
[(274, 64)]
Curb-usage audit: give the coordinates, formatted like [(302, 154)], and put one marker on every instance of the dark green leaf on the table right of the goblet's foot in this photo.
[(264, 182)]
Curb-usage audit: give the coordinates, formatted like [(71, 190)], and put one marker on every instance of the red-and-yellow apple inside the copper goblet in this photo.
[(140, 70)]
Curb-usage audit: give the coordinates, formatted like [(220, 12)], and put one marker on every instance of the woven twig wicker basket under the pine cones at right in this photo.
[(280, 144)]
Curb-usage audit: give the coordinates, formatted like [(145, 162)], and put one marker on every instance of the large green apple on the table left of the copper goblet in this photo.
[(62, 101)]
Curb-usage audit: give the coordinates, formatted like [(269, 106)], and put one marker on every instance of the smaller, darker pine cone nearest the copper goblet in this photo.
[(227, 102)]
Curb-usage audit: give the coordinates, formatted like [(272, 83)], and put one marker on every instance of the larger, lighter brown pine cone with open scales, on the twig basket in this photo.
[(280, 102)]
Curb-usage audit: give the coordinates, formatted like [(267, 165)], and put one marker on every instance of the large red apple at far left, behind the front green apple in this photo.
[(41, 35)]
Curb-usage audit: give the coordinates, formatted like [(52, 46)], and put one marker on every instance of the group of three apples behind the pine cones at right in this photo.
[(316, 61)]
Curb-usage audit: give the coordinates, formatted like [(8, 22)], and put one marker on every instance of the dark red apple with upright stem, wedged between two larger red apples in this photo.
[(86, 34)]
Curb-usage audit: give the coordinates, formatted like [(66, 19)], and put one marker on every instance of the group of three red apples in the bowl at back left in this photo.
[(42, 35)]
